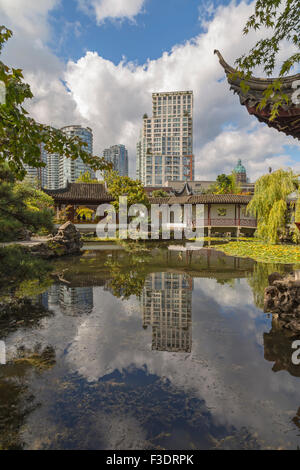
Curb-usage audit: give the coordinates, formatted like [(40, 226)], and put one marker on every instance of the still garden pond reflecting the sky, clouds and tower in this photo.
[(161, 349)]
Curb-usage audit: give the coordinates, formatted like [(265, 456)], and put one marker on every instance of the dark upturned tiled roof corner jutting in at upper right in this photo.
[(288, 119)]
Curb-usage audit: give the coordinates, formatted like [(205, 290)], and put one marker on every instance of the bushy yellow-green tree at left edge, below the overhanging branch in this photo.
[(22, 206)]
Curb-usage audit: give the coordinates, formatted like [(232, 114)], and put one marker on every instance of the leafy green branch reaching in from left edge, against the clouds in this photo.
[(21, 137)]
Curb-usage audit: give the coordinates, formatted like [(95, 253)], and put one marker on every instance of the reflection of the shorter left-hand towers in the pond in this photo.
[(72, 300)]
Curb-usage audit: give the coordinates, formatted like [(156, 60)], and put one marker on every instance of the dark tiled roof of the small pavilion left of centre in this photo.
[(80, 192)]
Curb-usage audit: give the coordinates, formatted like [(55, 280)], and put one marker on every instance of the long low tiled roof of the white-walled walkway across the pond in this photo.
[(203, 199)]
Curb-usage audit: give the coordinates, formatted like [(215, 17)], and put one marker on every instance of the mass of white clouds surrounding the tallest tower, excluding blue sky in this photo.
[(112, 98)]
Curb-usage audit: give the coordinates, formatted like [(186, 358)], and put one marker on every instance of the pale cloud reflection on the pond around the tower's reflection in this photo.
[(226, 367)]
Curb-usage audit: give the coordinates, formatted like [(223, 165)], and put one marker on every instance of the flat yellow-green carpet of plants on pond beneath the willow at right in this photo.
[(259, 251)]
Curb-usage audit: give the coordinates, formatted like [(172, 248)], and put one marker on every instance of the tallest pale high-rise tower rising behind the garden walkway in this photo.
[(165, 148)]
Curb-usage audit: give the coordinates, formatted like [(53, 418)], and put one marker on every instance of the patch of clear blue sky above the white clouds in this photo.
[(161, 25)]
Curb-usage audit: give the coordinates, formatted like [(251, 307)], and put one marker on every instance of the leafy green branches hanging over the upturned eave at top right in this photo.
[(282, 19)]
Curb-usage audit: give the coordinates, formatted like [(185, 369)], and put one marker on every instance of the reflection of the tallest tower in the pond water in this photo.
[(166, 304)]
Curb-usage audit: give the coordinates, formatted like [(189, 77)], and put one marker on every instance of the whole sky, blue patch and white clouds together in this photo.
[(96, 63)]
